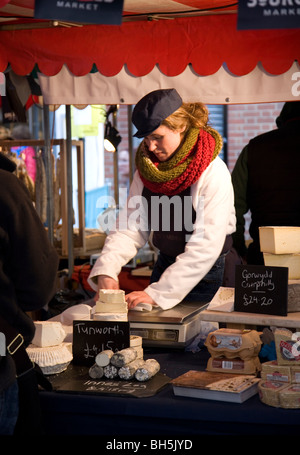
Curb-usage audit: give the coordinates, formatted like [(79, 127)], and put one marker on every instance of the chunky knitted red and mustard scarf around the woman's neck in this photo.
[(183, 169)]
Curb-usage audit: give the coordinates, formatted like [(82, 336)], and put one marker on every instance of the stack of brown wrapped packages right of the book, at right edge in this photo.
[(280, 379)]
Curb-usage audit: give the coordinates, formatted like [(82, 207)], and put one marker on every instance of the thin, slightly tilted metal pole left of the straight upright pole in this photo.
[(49, 173)]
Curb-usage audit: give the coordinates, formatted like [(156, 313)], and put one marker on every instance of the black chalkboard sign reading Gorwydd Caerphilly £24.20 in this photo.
[(261, 289)]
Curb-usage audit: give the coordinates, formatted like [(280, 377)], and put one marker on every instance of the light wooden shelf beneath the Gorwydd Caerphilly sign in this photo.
[(292, 320)]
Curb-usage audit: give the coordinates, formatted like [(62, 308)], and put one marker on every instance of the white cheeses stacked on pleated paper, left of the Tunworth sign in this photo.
[(48, 349)]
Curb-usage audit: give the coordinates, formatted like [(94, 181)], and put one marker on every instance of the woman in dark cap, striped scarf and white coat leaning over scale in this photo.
[(177, 161)]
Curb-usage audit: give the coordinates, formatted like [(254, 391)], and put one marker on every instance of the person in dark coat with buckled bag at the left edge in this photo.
[(28, 268)]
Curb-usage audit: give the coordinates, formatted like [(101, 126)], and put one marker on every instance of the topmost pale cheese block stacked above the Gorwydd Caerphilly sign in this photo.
[(279, 239)]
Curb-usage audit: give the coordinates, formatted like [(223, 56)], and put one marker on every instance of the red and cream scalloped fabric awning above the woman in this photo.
[(183, 44)]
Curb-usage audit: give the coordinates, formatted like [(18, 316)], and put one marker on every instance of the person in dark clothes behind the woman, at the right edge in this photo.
[(266, 182)]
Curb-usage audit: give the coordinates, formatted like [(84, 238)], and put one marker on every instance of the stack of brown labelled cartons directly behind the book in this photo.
[(234, 351)]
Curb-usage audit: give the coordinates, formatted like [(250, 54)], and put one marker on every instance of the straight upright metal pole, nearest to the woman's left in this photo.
[(69, 191)]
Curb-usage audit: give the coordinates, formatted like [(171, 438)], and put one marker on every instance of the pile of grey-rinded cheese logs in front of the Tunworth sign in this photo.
[(125, 364)]
